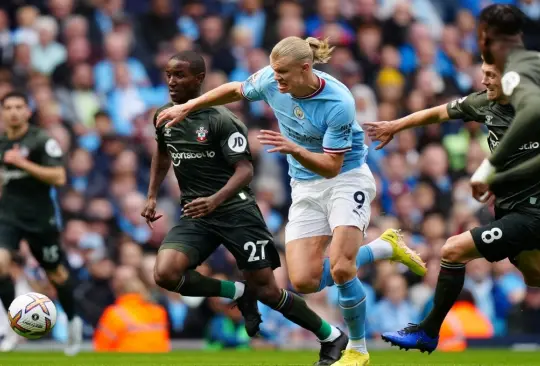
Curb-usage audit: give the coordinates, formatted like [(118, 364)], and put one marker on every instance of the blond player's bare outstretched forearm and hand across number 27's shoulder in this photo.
[(223, 94)]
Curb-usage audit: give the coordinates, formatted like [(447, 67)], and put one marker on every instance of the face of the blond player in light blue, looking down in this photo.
[(288, 73)]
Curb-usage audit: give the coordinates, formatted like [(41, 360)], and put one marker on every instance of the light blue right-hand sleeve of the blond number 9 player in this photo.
[(338, 137)]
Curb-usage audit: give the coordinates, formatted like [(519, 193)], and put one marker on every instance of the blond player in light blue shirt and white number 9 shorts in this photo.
[(332, 187)]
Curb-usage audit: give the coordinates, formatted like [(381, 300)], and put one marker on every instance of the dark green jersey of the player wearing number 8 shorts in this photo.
[(498, 117)]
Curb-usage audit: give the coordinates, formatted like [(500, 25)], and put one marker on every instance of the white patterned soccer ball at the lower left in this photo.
[(32, 315)]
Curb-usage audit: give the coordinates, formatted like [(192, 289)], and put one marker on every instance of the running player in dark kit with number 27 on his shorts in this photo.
[(211, 159)]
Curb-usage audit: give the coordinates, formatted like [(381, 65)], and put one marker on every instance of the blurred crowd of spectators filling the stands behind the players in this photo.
[(93, 72)]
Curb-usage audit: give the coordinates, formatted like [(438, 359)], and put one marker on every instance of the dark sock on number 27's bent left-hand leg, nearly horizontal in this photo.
[(193, 283)]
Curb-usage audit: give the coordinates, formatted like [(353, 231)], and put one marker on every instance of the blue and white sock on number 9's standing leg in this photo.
[(352, 302)]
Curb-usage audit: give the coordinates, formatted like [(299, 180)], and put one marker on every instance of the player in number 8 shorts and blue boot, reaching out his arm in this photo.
[(513, 233)]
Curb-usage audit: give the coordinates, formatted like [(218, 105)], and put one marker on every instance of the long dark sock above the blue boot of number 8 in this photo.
[(449, 286)]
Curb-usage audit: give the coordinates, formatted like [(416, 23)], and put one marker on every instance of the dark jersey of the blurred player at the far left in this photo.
[(27, 202)]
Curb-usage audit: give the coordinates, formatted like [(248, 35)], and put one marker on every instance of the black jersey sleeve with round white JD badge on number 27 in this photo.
[(232, 134)]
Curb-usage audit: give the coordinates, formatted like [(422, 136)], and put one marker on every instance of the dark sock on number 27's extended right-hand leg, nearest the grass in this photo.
[(294, 308)]
